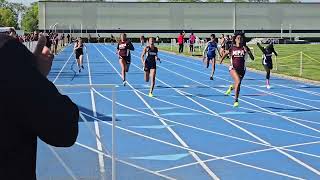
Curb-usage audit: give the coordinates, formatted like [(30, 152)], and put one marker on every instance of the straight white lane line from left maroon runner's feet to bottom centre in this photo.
[(177, 137)]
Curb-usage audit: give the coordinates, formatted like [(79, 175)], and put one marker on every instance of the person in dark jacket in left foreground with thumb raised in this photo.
[(31, 107)]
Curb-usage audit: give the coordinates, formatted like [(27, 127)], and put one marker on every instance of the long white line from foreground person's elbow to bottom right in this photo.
[(189, 149)]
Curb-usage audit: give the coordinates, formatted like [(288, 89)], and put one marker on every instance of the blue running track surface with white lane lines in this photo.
[(189, 130)]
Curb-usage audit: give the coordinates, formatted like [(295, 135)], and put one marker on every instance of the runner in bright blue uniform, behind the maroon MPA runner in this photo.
[(209, 53)]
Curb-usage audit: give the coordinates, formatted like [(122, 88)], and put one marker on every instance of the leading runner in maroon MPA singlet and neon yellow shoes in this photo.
[(237, 67)]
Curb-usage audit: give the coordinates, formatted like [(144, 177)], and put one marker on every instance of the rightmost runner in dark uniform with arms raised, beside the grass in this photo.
[(267, 60)]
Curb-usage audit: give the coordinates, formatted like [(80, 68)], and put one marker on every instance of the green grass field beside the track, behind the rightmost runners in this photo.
[(288, 60)]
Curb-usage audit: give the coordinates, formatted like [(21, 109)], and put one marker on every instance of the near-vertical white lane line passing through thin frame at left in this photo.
[(96, 124)]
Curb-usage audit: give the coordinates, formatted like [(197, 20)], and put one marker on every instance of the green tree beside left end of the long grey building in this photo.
[(31, 18)]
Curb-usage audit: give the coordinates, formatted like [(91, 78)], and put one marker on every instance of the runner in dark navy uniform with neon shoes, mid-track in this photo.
[(150, 64)]
